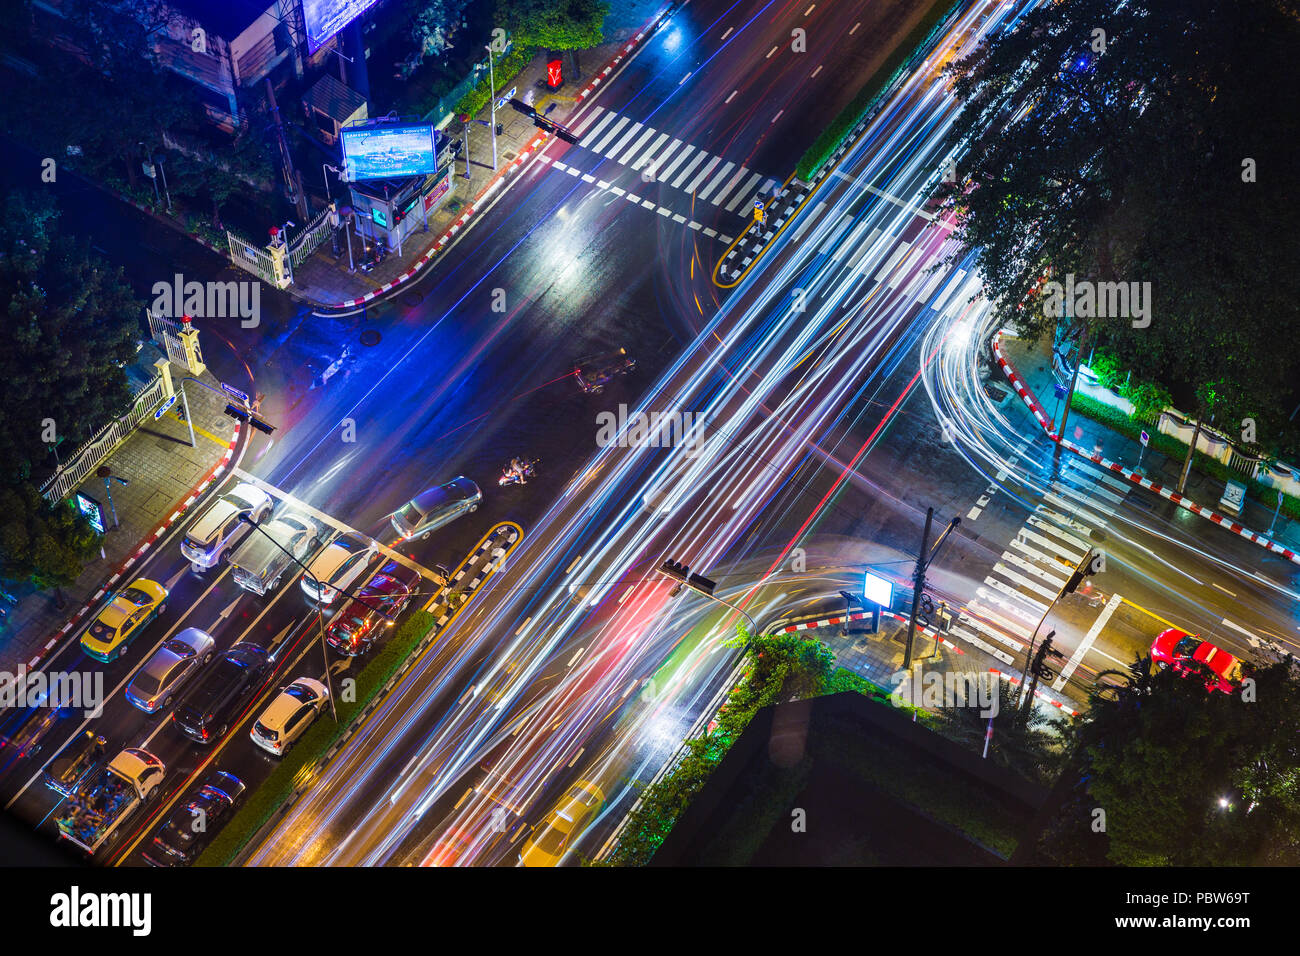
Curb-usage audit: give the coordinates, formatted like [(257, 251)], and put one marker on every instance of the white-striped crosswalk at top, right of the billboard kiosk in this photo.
[(682, 166)]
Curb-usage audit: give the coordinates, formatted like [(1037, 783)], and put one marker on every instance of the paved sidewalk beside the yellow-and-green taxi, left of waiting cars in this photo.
[(164, 474)]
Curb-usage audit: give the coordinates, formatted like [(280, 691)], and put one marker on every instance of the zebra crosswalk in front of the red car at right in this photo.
[(1042, 556)]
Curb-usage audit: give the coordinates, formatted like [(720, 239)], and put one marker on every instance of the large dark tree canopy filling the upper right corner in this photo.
[(1145, 144)]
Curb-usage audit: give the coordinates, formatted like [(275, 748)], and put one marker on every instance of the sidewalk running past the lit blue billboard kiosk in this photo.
[(324, 280)]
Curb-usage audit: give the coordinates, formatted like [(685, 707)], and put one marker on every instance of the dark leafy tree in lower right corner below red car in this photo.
[(1185, 777)]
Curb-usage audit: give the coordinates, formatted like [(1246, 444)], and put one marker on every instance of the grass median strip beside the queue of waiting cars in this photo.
[(301, 762)]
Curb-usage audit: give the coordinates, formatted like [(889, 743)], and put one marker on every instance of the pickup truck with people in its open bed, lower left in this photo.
[(109, 798)]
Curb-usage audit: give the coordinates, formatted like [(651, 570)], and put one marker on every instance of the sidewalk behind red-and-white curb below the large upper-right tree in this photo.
[(1033, 364)]
